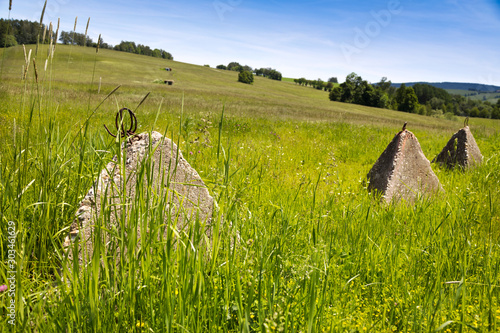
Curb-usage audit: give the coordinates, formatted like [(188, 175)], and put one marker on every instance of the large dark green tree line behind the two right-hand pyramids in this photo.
[(421, 98)]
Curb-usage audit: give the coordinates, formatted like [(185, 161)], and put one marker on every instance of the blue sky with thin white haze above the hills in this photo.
[(403, 40)]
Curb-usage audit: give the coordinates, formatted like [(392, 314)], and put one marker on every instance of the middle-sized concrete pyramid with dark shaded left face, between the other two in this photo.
[(403, 172)]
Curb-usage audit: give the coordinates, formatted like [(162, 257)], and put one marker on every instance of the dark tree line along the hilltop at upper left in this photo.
[(17, 32)]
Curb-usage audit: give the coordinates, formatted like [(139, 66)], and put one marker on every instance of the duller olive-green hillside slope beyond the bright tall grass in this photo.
[(75, 70)]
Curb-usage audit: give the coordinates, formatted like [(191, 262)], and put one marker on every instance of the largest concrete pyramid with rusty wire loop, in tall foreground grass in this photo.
[(169, 180)]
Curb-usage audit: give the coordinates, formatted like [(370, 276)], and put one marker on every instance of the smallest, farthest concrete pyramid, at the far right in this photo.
[(461, 150)]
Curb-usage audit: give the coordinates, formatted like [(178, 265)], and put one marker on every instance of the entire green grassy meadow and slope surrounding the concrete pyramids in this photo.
[(302, 246)]
